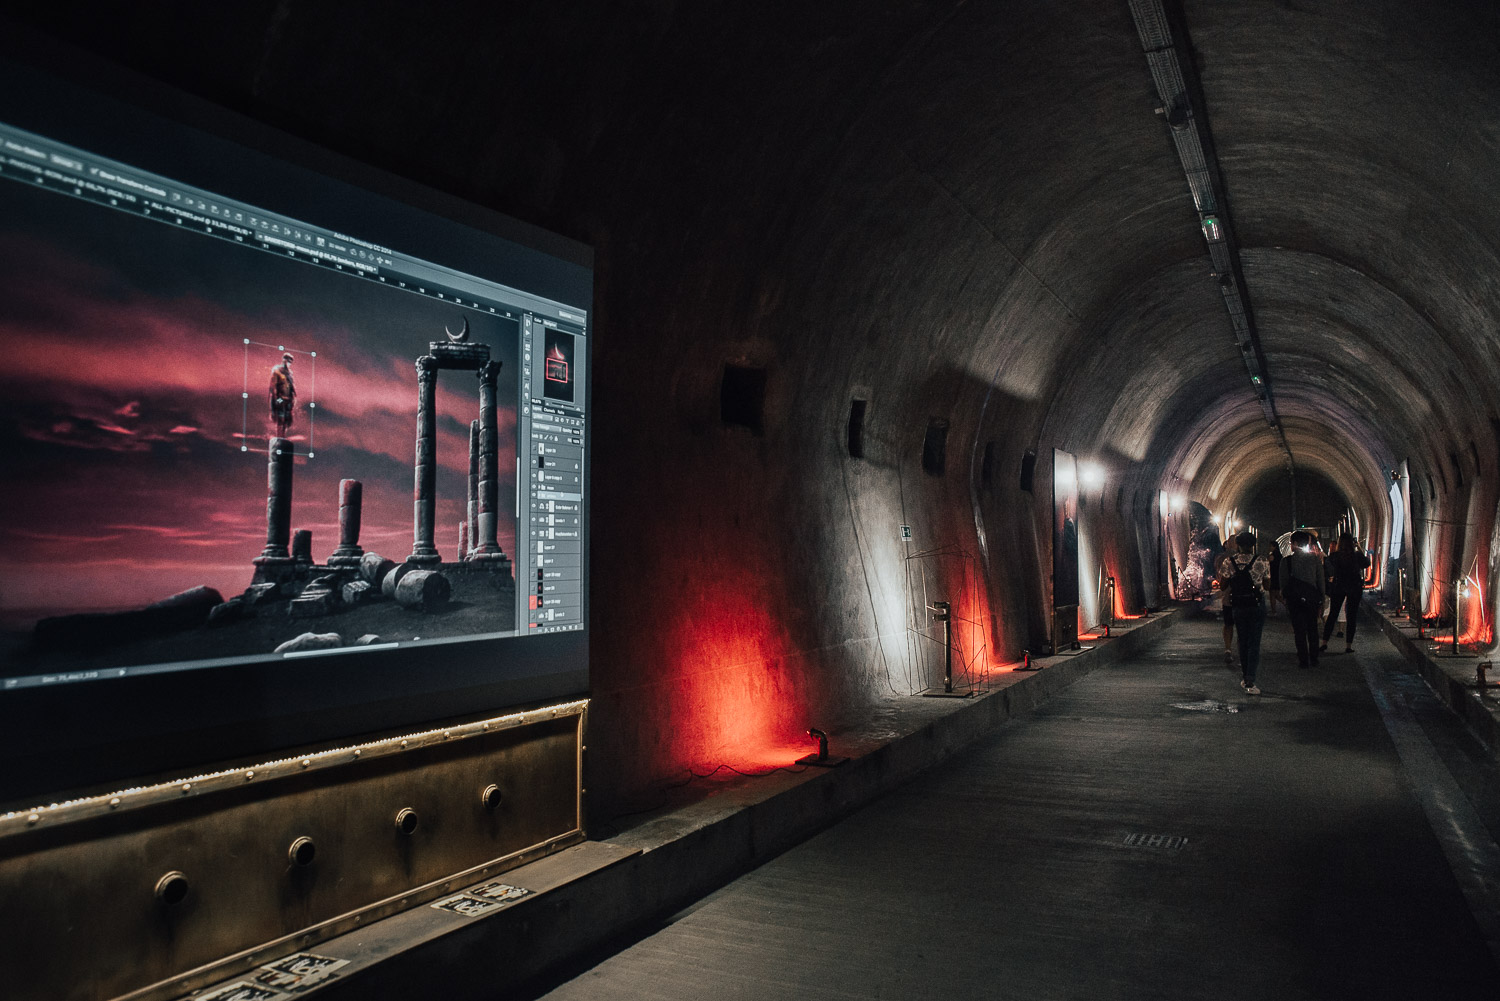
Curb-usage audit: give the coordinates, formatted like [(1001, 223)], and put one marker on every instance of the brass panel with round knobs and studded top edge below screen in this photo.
[(115, 904)]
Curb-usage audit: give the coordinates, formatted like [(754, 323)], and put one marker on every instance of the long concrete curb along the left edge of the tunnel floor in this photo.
[(689, 853)]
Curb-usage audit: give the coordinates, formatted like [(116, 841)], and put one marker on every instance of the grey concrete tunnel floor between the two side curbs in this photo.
[(1309, 871)]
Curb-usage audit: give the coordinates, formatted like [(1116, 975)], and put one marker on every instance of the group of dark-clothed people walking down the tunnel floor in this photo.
[(1304, 580)]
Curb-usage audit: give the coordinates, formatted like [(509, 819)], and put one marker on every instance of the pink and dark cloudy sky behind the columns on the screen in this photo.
[(122, 416)]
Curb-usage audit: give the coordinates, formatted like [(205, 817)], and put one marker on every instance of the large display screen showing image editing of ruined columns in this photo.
[(271, 436)]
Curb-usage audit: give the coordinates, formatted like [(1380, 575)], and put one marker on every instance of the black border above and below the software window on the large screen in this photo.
[(88, 736)]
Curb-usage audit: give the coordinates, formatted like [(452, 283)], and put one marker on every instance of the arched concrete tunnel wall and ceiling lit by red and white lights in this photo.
[(956, 212)]
